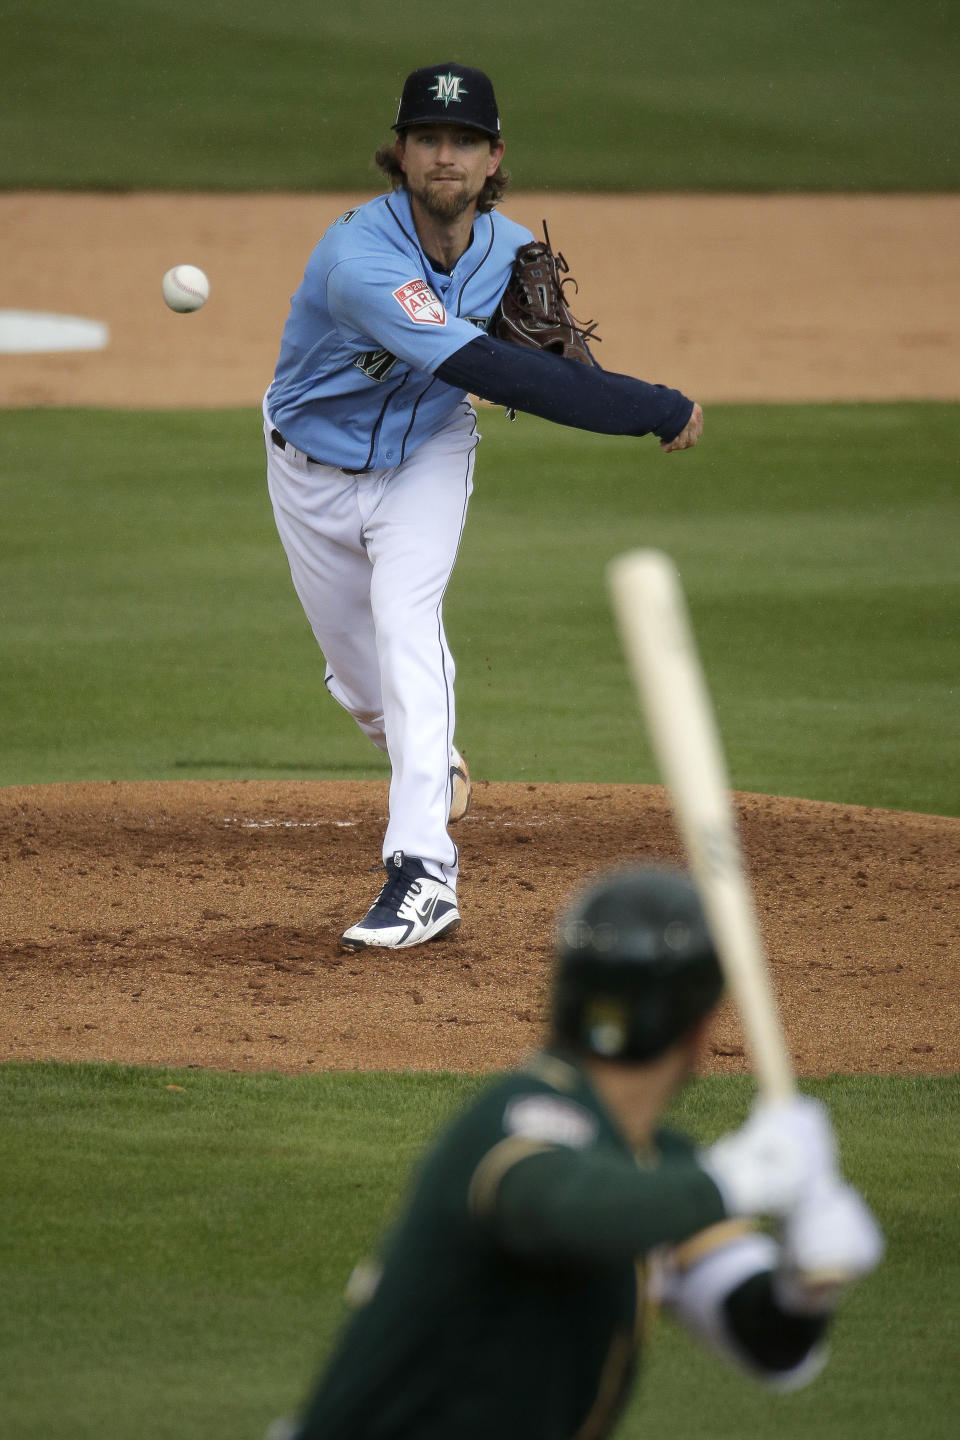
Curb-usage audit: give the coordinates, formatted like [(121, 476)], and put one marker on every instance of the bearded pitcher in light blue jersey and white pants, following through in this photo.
[(371, 443)]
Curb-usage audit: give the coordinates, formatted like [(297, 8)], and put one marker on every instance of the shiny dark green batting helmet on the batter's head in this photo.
[(637, 967)]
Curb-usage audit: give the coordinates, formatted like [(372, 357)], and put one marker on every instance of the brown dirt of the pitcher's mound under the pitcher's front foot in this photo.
[(198, 924)]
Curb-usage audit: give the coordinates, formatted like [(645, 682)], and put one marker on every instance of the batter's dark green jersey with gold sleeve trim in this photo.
[(509, 1300)]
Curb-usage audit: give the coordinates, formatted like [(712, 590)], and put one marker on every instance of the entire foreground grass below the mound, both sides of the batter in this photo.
[(172, 1261)]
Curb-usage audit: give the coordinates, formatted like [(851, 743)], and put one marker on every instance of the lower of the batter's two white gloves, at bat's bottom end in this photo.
[(830, 1242)]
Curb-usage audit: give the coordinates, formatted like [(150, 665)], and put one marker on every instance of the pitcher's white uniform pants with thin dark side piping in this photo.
[(371, 558)]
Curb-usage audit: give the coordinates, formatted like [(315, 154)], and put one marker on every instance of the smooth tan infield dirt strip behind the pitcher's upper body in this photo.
[(730, 297)]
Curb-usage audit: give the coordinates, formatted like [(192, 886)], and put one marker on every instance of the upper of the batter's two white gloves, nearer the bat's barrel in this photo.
[(785, 1150)]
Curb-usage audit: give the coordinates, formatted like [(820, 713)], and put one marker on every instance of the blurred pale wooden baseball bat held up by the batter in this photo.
[(658, 640)]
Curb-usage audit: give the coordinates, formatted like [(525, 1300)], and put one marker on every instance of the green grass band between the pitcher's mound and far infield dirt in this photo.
[(149, 629)]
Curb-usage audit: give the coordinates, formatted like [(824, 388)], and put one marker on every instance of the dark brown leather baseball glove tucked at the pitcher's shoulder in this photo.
[(535, 310)]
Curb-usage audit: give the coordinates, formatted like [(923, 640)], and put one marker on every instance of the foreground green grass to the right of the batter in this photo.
[(890, 1373)]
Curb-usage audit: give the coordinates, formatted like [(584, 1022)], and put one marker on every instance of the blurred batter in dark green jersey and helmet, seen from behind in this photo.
[(513, 1295)]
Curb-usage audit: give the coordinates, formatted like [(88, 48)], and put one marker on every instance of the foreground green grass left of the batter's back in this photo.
[(171, 1259)]
